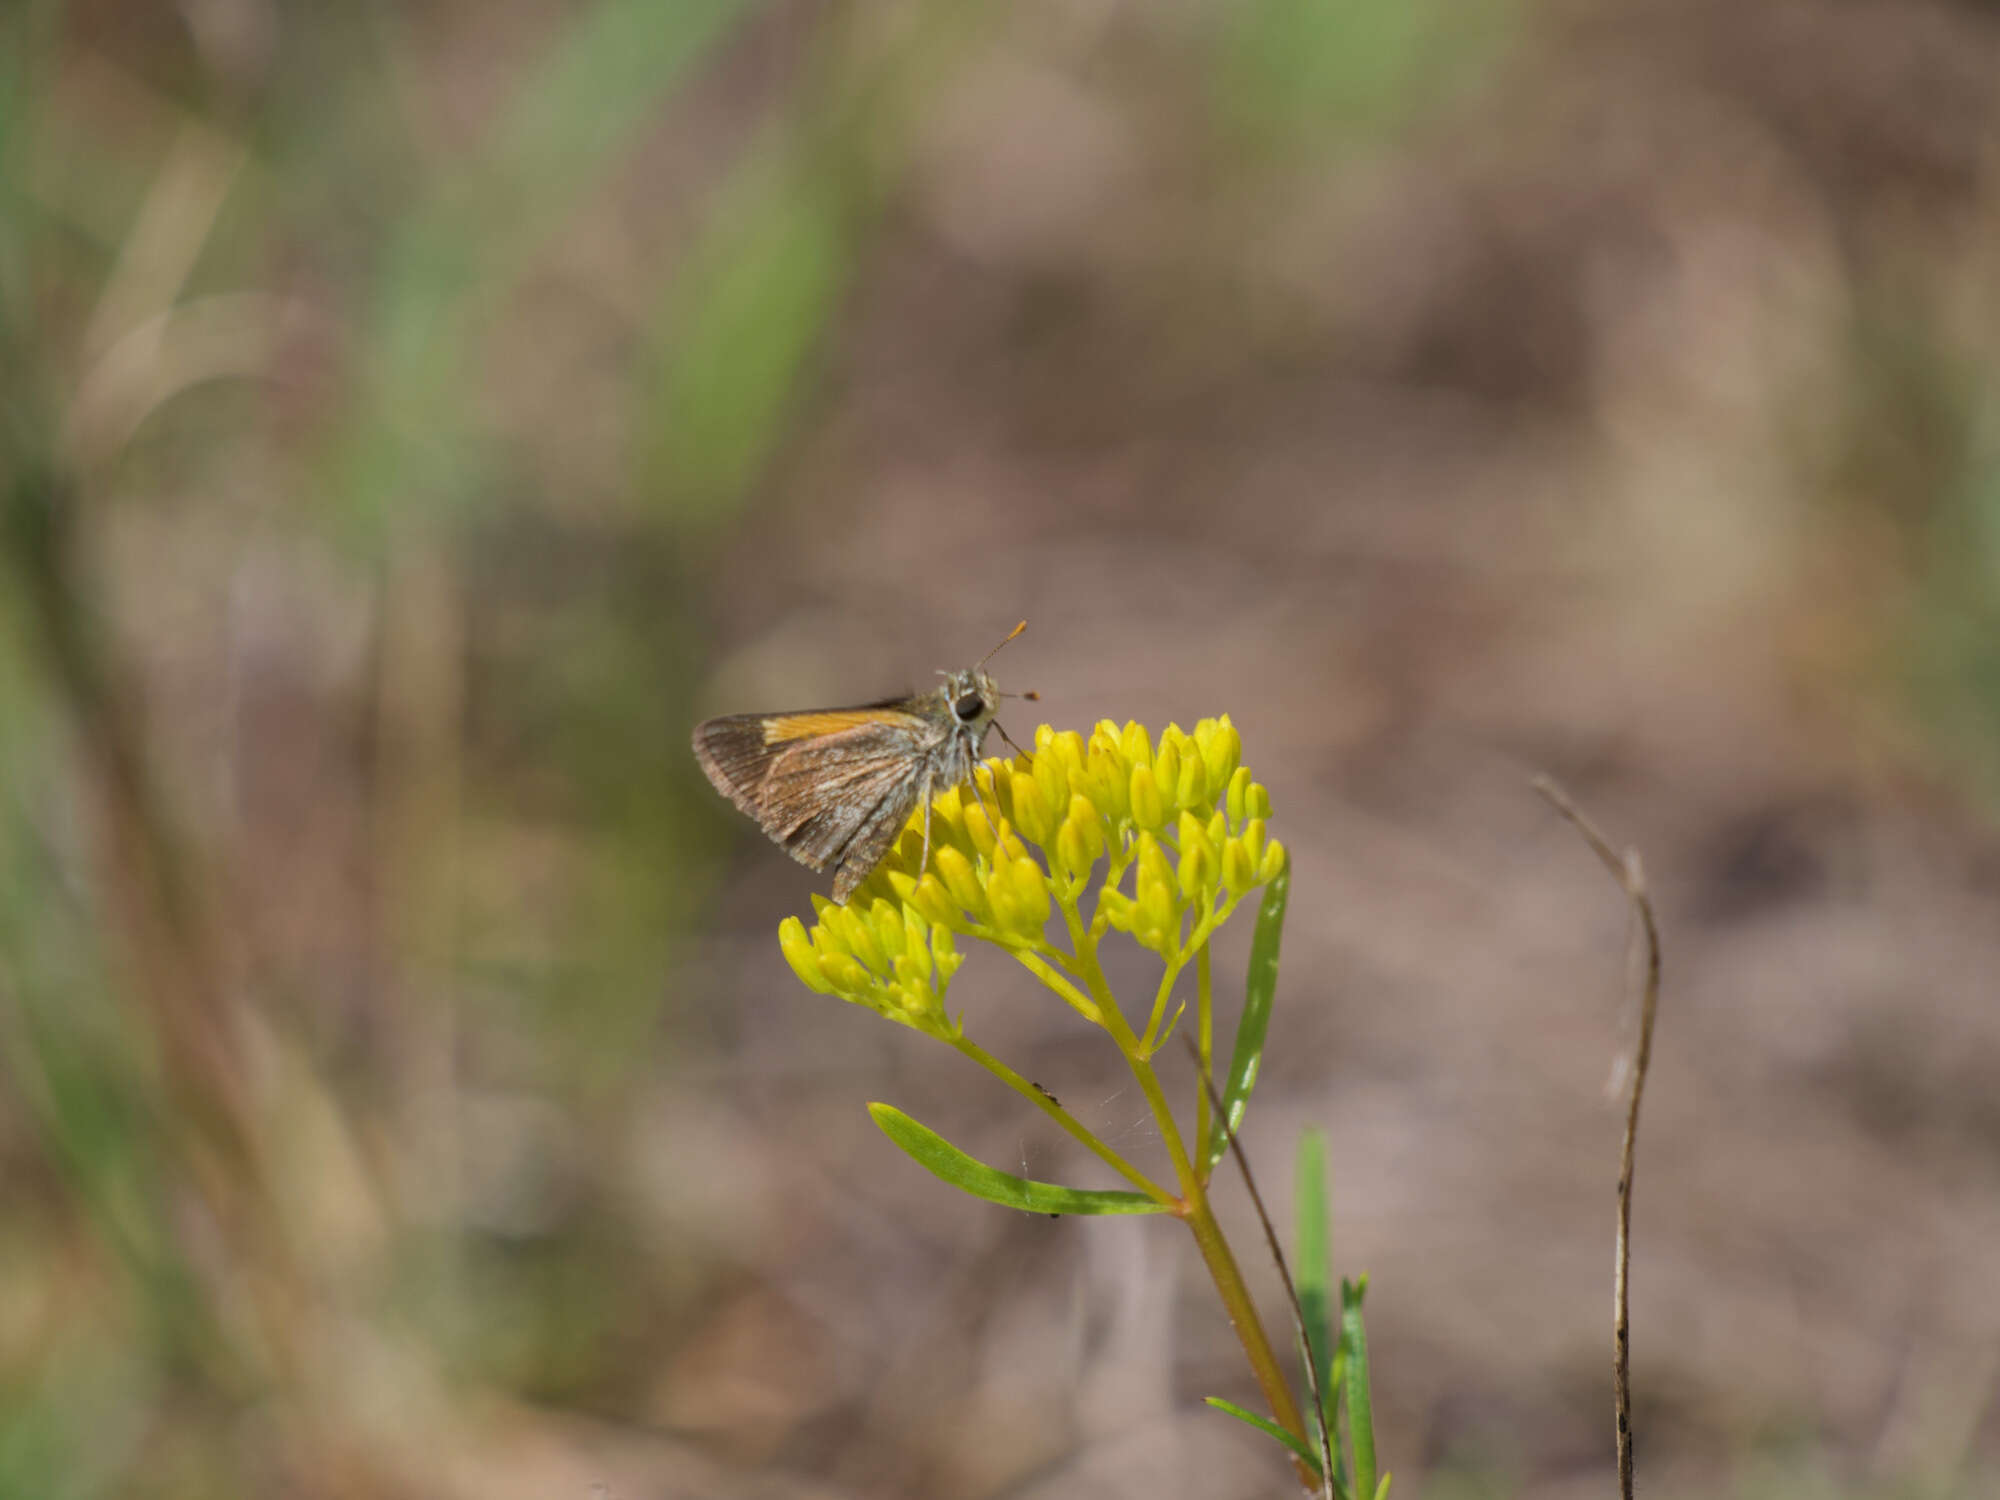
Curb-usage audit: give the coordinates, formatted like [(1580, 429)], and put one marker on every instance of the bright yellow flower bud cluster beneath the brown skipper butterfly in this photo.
[(1185, 819)]
